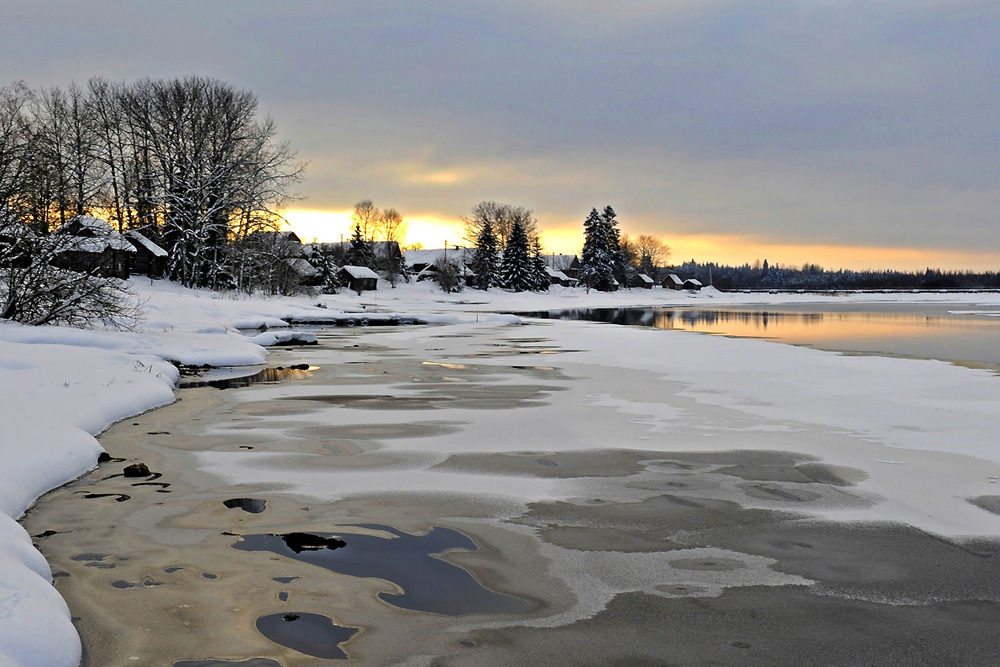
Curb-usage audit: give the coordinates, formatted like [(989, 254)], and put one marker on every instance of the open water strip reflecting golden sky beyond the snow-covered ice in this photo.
[(968, 337)]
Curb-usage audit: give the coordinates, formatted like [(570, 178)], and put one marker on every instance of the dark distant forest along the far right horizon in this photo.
[(761, 276)]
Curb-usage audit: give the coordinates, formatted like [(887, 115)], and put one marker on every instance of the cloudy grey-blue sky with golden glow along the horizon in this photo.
[(845, 133)]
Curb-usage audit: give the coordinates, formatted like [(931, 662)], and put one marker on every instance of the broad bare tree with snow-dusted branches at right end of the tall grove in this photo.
[(203, 161)]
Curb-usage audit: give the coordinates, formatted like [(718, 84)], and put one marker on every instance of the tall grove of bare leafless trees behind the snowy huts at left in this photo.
[(189, 162)]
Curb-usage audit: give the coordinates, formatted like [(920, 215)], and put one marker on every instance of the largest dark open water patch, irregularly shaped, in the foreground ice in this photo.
[(411, 562)]
